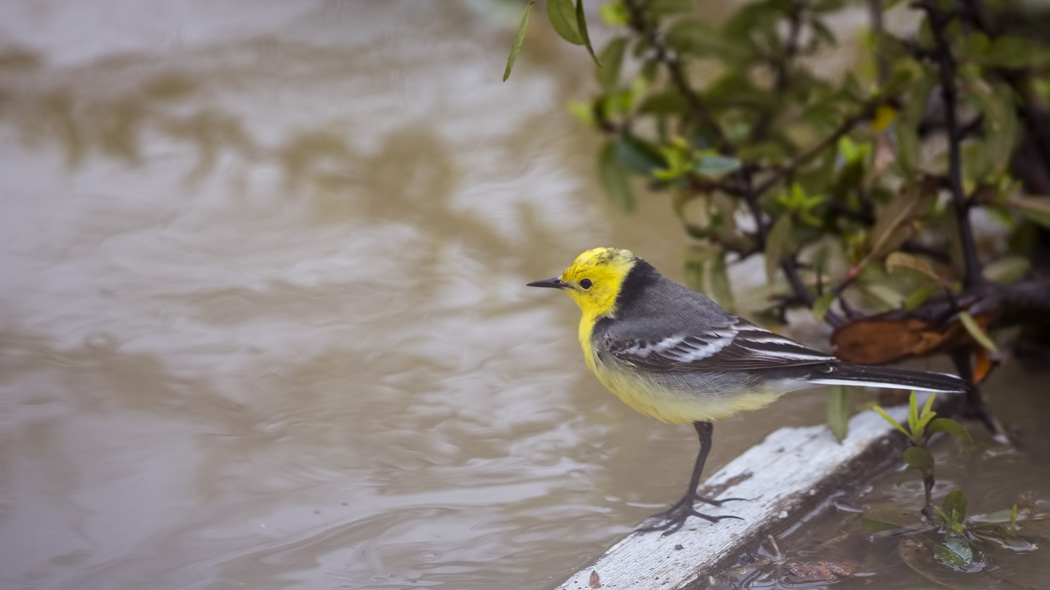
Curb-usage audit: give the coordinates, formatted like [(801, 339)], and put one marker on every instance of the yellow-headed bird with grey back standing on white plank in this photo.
[(674, 354)]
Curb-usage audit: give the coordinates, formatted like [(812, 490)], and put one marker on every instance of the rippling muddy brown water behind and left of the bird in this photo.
[(263, 318)]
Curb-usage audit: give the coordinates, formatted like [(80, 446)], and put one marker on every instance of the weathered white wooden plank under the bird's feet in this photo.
[(783, 478)]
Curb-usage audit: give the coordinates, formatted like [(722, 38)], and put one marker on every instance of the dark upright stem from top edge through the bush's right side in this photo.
[(947, 66)]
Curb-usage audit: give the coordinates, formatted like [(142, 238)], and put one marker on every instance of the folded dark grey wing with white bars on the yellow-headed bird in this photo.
[(736, 345)]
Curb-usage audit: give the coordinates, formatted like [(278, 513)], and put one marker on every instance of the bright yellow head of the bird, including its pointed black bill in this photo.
[(594, 281)]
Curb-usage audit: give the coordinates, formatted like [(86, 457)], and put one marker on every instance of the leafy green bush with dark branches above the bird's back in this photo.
[(858, 188)]
